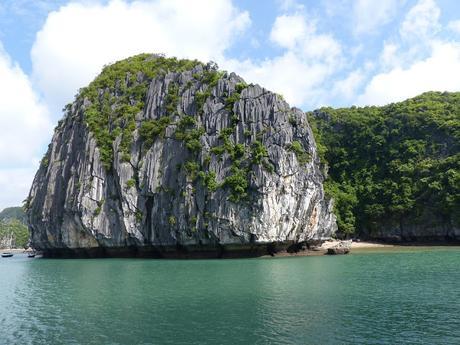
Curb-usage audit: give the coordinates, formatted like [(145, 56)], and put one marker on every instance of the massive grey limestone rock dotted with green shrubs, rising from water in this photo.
[(167, 158)]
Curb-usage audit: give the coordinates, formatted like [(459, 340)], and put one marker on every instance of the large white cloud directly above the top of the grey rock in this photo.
[(78, 39)]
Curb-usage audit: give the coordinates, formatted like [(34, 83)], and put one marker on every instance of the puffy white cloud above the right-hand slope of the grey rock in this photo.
[(300, 72)]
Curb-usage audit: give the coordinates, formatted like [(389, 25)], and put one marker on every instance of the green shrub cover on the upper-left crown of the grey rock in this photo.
[(118, 94)]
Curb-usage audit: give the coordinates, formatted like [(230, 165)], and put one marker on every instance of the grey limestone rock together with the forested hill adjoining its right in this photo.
[(175, 158)]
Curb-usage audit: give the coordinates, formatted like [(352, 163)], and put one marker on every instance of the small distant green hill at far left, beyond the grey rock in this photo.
[(13, 228)]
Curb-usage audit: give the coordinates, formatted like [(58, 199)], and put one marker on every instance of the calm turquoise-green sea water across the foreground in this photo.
[(407, 297)]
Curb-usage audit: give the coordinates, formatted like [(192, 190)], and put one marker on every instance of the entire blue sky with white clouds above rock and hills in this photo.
[(313, 52)]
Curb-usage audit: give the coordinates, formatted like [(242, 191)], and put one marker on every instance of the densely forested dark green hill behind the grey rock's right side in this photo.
[(394, 171)]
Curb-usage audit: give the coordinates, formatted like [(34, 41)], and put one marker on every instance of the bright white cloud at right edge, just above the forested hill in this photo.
[(438, 72)]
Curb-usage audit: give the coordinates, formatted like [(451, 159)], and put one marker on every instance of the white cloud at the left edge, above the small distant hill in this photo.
[(24, 130)]
